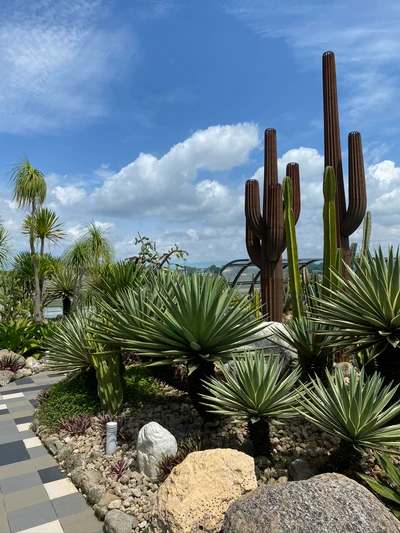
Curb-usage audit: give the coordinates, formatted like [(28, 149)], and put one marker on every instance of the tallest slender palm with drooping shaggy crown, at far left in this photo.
[(29, 192)]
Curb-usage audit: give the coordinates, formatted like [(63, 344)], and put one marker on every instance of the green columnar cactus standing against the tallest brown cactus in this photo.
[(329, 218)]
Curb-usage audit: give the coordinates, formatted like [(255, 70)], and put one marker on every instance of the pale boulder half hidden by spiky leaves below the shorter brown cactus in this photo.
[(272, 344)]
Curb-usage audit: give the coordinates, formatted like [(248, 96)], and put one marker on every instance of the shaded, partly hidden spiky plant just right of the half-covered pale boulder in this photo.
[(315, 354)]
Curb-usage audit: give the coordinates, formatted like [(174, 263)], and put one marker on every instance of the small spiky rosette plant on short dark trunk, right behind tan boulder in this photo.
[(254, 391)]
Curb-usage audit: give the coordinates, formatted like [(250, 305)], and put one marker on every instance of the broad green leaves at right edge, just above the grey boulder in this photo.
[(390, 494)]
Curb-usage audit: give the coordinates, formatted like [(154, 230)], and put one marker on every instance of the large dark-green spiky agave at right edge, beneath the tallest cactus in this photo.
[(366, 313)]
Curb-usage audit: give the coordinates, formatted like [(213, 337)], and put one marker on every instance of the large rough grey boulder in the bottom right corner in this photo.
[(324, 504)]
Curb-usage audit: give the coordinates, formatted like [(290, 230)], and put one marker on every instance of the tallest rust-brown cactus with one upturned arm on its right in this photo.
[(349, 218)]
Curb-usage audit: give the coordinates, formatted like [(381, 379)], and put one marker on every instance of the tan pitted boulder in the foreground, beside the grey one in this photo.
[(198, 492)]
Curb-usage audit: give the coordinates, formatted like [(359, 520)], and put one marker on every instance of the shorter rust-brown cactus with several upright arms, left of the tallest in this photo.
[(265, 233)]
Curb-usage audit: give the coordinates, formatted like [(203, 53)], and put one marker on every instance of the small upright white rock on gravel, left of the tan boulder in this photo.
[(153, 442)]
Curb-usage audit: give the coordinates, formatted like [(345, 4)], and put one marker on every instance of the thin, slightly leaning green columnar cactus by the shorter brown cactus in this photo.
[(291, 243)]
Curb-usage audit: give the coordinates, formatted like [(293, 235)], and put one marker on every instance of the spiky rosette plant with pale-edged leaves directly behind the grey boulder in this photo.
[(358, 414)]
